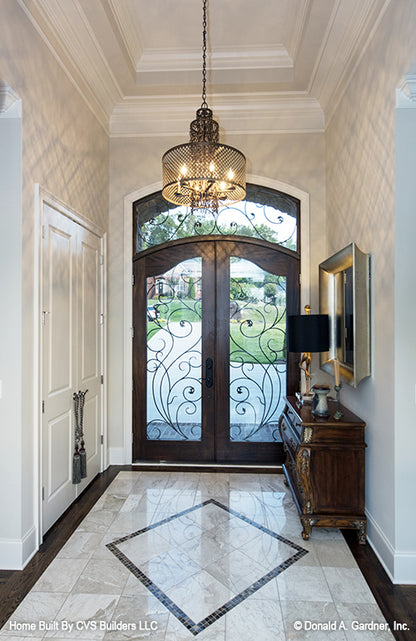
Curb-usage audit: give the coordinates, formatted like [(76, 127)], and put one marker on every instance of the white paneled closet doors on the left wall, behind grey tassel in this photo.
[(71, 356)]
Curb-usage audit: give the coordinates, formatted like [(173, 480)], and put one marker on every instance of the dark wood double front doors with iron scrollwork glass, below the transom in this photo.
[(210, 367)]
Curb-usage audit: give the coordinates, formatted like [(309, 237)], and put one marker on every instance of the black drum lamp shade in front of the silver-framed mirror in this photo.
[(308, 333)]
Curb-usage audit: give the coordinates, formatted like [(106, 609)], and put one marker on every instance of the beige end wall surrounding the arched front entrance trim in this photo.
[(297, 160)]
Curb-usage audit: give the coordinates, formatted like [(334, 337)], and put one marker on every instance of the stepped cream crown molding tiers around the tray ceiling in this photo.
[(70, 36)]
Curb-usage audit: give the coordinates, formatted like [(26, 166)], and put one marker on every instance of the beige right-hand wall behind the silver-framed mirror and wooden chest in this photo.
[(360, 143)]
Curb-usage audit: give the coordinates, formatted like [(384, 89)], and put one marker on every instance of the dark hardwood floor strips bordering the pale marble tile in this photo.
[(397, 602)]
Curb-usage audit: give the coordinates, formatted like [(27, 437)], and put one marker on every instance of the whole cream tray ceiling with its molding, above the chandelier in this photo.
[(273, 65)]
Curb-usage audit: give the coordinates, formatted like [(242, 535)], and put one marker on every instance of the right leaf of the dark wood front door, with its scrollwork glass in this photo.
[(253, 370)]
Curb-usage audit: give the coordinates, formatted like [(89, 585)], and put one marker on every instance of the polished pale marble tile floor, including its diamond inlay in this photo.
[(170, 556)]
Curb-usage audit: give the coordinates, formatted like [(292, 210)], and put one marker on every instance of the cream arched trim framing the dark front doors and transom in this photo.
[(129, 199)]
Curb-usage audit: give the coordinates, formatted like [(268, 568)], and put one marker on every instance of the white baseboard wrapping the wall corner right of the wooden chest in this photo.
[(399, 565)]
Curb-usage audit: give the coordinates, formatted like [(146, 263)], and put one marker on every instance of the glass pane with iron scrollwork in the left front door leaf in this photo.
[(174, 348)]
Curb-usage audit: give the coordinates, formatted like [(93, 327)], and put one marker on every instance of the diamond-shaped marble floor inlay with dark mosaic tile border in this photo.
[(209, 551)]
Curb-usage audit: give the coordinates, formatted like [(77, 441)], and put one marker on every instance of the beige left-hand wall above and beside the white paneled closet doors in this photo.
[(66, 151)]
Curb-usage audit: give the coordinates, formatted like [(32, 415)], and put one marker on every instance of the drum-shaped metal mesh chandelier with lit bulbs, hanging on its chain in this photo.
[(204, 174)]
